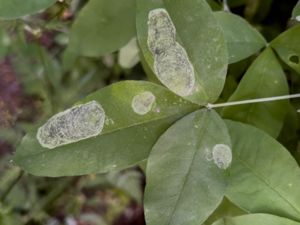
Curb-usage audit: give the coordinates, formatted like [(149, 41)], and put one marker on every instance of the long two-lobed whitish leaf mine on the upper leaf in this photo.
[(171, 62)]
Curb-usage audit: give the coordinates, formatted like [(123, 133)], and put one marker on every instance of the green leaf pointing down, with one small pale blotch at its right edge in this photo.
[(184, 183)]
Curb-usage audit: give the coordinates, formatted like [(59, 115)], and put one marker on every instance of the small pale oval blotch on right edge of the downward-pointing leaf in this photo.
[(222, 155)]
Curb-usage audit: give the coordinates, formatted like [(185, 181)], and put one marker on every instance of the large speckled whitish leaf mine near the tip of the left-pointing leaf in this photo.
[(72, 125)]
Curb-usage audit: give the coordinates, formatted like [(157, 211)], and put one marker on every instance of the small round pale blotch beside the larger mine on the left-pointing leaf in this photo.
[(143, 103)]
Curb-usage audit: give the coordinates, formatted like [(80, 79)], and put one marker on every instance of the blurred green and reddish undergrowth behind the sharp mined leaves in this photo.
[(43, 70)]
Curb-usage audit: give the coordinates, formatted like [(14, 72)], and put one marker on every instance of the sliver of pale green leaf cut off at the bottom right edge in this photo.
[(257, 219)]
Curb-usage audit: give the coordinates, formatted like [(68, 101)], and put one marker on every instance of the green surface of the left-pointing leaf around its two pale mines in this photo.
[(126, 138)]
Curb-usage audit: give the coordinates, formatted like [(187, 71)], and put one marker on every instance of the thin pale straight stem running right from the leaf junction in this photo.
[(250, 101)]
